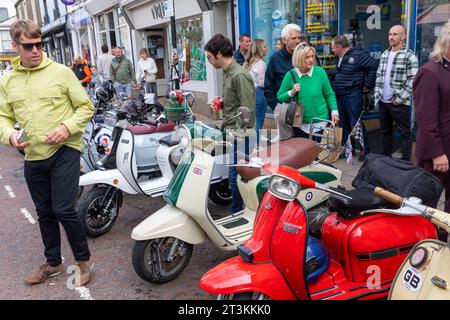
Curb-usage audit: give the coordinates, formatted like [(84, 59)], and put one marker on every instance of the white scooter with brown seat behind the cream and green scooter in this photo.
[(119, 172)]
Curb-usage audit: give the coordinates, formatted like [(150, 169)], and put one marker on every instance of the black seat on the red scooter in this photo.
[(362, 199)]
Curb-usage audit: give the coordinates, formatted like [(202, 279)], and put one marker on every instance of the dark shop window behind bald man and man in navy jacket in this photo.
[(367, 24)]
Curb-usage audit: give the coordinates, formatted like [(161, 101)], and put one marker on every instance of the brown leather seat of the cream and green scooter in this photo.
[(295, 153)]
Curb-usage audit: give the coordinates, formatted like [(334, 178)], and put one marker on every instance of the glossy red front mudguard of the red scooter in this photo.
[(236, 276)]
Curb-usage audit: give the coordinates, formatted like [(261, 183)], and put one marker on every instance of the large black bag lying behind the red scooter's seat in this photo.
[(400, 177)]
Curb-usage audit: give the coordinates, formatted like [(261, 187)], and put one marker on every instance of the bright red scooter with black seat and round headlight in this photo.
[(359, 257)]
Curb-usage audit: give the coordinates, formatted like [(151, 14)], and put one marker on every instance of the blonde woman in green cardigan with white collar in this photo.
[(312, 88)]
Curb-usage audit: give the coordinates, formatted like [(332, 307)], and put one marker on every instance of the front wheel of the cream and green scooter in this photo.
[(161, 260)]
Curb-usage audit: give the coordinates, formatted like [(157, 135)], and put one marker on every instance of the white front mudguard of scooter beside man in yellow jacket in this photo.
[(112, 177)]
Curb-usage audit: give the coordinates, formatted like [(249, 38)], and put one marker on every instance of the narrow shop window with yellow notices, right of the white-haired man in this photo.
[(321, 25)]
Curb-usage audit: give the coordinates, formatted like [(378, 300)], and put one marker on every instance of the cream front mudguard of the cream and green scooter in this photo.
[(169, 222)]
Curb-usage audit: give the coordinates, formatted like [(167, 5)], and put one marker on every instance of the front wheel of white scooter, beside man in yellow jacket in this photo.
[(96, 222)]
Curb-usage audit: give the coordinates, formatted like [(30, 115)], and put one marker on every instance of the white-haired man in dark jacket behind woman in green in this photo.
[(280, 63)]
